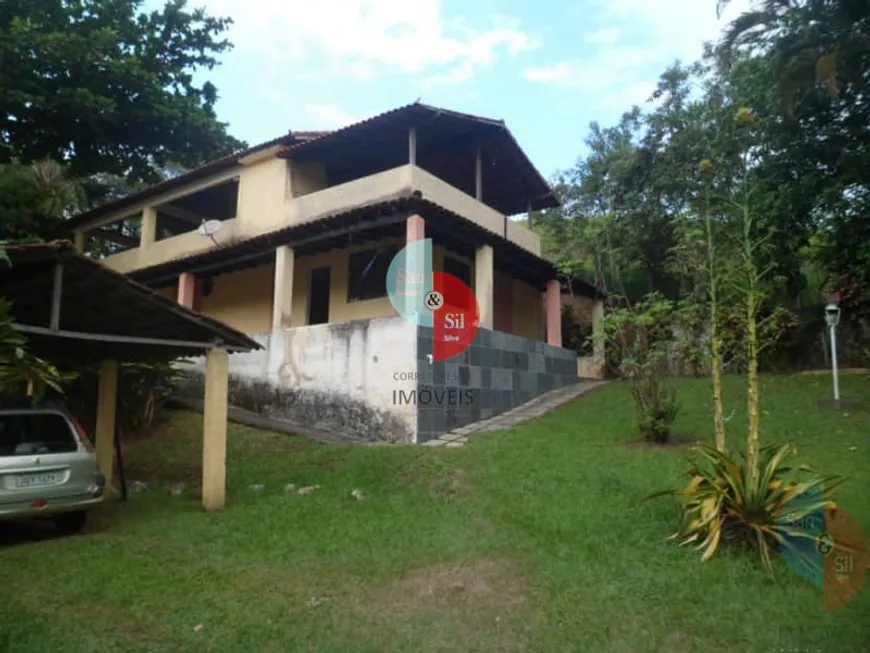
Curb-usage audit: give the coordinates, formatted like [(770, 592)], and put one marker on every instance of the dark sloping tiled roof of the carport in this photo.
[(77, 311)]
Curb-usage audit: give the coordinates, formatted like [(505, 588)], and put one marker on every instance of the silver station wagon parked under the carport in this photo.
[(48, 466)]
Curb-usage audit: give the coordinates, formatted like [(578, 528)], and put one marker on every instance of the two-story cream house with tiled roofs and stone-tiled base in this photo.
[(290, 241)]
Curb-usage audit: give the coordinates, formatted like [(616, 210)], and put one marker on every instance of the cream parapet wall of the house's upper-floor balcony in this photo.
[(267, 200)]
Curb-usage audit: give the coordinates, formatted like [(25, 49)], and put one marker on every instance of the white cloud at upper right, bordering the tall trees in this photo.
[(628, 59)]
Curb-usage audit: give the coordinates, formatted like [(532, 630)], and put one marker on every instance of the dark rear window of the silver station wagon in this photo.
[(32, 433)]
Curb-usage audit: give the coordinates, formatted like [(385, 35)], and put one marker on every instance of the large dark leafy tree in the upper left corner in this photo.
[(107, 88)]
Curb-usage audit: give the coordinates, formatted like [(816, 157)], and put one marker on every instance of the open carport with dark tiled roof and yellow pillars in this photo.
[(76, 312)]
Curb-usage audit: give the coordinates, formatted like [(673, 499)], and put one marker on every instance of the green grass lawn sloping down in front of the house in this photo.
[(533, 539)]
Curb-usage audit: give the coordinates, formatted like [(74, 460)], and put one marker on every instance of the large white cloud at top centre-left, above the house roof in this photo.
[(364, 38)]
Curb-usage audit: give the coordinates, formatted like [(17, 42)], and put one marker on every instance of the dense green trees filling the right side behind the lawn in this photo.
[(801, 69)]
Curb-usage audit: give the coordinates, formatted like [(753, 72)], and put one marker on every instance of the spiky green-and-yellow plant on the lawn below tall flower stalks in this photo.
[(724, 503)]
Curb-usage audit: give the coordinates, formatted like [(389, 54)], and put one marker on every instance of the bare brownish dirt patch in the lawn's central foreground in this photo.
[(476, 603)]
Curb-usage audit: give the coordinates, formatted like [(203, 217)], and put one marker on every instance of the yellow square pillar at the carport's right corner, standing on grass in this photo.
[(214, 429)]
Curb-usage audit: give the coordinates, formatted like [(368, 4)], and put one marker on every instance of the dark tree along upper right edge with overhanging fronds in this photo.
[(818, 60)]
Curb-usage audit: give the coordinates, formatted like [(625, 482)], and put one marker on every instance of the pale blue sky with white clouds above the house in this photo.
[(547, 68)]
